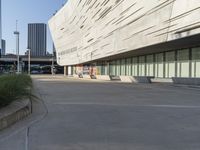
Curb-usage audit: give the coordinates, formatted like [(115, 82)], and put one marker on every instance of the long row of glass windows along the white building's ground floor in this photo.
[(177, 63)]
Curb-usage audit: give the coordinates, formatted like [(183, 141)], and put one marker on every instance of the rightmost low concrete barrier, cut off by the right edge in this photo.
[(186, 81)]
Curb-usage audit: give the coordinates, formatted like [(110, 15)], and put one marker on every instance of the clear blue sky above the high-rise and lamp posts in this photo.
[(26, 11)]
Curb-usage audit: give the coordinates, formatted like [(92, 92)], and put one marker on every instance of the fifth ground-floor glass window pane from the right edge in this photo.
[(149, 65)]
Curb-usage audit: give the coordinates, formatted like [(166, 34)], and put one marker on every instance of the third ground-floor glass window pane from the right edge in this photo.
[(170, 64)]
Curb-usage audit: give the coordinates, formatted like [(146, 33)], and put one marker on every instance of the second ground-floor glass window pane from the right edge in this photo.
[(183, 63)]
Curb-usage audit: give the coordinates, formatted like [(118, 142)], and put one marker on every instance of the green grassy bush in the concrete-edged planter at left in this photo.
[(14, 87)]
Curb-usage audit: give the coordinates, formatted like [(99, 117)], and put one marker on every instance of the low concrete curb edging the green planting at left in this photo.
[(14, 112)]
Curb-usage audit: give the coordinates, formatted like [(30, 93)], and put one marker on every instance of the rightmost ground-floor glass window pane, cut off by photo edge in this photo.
[(196, 62)]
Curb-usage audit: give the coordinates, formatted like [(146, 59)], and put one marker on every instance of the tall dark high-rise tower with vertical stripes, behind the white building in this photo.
[(37, 38)]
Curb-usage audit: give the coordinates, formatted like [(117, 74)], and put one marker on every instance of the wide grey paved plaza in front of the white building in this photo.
[(76, 114)]
